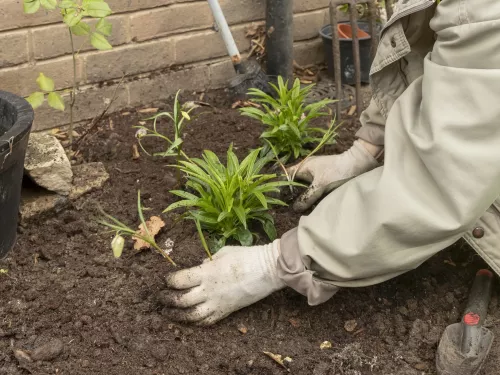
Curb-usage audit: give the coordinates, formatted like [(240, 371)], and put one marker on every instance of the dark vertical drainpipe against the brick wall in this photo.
[(279, 44)]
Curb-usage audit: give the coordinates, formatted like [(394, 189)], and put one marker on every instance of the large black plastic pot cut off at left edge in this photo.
[(16, 118)]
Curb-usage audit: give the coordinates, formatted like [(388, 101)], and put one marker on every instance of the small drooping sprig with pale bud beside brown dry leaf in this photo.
[(121, 230)]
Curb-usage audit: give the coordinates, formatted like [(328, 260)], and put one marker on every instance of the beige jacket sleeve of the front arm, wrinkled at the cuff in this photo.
[(441, 172)]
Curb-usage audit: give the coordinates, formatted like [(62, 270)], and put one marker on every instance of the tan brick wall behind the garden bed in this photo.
[(161, 46)]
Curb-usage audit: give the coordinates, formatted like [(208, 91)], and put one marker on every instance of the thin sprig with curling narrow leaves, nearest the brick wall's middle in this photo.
[(179, 116)]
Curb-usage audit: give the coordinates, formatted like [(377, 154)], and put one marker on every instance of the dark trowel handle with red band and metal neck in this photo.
[(476, 311)]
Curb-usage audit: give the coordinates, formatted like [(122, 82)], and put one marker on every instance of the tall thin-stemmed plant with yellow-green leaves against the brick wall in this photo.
[(73, 13)]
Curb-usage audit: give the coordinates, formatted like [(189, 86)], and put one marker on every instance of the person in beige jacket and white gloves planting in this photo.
[(436, 115)]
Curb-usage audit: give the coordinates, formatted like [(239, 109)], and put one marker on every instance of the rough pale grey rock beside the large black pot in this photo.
[(47, 164)]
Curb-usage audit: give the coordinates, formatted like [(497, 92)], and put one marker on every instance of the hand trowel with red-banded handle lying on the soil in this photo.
[(464, 346)]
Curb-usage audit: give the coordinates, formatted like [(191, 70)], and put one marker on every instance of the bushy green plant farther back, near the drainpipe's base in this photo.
[(288, 119)]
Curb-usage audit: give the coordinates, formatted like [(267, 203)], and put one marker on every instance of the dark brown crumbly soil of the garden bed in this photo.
[(65, 296)]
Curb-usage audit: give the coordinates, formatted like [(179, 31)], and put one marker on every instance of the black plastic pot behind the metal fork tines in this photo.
[(346, 57)]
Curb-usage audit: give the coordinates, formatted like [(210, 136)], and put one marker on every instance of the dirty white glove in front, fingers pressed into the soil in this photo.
[(236, 277)]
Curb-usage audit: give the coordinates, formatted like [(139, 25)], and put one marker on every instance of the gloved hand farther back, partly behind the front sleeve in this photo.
[(326, 173)]
